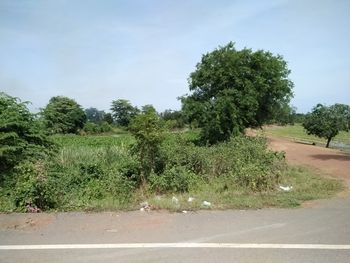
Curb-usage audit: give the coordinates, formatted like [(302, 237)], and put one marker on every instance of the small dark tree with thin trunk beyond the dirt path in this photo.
[(327, 122)]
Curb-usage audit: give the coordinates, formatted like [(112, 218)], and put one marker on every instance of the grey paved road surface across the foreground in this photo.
[(327, 223)]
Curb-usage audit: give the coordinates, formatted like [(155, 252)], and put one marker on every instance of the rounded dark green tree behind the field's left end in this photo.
[(63, 115)]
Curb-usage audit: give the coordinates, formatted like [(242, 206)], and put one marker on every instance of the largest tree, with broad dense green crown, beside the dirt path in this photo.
[(233, 89)]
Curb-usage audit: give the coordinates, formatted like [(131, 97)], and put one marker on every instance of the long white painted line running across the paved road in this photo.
[(176, 245)]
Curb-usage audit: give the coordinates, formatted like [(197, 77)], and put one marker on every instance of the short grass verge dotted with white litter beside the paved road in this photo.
[(306, 186)]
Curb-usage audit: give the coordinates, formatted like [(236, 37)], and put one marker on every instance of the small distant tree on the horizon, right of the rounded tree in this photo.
[(123, 112)]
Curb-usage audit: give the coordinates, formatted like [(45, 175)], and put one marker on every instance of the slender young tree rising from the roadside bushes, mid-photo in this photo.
[(148, 131)]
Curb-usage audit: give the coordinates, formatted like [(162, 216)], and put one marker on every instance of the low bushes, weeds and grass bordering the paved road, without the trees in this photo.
[(101, 173)]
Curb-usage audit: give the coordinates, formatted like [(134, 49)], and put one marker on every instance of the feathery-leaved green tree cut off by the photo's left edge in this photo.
[(21, 135)]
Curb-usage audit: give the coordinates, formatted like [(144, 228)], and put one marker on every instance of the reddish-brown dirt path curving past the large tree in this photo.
[(327, 161)]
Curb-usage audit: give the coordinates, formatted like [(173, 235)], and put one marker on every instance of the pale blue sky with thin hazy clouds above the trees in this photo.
[(144, 50)]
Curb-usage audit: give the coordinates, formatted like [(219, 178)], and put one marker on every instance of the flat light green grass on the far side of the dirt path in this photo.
[(297, 132)]
